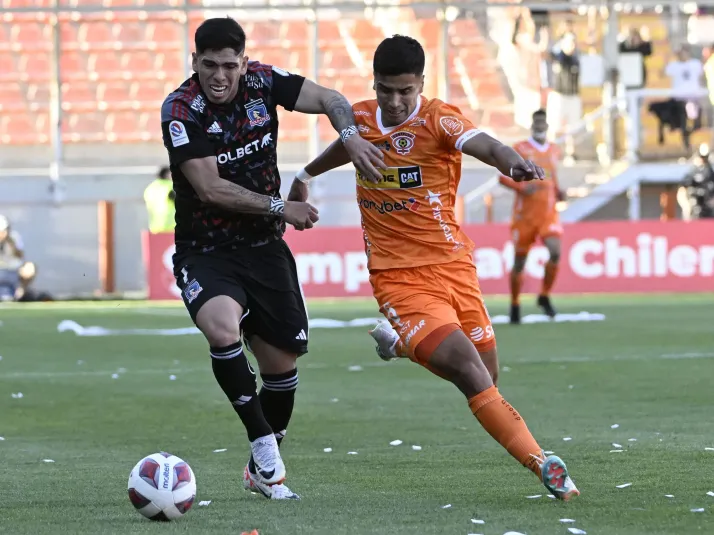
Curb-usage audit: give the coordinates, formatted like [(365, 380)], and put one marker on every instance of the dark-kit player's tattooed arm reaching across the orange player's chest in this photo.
[(315, 98)]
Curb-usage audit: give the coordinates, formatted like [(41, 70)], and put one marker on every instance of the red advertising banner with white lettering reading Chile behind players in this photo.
[(596, 257)]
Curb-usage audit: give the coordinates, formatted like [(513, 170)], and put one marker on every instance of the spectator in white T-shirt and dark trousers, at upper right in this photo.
[(687, 74)]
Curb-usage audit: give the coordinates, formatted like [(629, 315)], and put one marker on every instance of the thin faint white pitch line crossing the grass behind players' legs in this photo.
[(322, 366)]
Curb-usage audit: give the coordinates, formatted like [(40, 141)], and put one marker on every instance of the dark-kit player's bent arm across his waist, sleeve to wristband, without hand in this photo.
[(202, 173)]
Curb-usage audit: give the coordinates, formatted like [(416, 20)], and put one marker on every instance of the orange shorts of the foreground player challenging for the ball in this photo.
[(426, 304)]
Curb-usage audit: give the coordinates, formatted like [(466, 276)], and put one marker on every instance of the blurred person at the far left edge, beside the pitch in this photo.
[(15, 273)]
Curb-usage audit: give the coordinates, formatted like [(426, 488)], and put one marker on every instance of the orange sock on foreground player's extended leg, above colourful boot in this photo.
[(505, 425)]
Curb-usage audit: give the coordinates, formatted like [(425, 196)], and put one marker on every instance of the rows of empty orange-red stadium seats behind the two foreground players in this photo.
[(116, 68)]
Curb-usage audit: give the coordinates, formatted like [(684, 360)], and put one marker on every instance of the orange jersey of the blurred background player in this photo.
[(541, 204)]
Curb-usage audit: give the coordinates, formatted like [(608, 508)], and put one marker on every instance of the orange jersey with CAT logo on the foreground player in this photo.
[(408, 217)]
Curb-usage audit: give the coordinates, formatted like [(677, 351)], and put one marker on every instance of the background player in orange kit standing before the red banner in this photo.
[(534, 214)]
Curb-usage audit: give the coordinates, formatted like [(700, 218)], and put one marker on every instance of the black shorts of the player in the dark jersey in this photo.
[(263, 280)]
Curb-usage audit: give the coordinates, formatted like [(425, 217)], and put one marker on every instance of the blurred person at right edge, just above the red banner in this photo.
[(696, 194)]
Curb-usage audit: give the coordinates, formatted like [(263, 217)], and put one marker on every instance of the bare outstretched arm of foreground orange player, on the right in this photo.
[(492, 152)]
